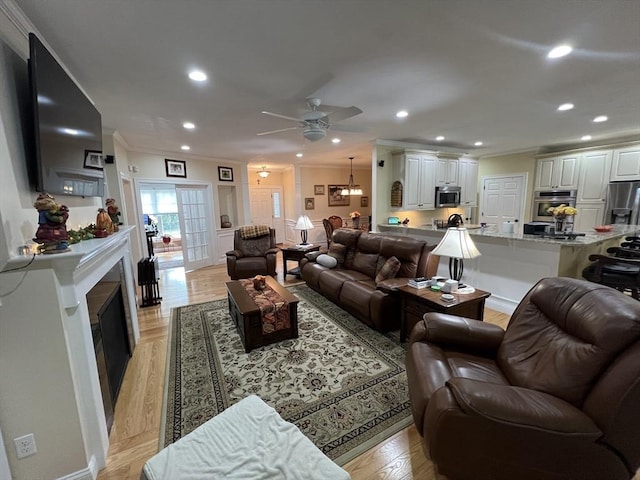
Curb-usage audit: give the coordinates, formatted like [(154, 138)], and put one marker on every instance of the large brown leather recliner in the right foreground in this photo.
[(556, 396)]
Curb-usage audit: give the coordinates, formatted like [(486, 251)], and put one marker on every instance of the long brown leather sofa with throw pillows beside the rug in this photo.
[(352, 284)]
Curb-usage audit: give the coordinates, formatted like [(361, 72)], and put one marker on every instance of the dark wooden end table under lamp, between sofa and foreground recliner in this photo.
[(418, 301)]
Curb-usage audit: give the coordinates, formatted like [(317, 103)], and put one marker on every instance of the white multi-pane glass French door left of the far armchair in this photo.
[(195, 226)]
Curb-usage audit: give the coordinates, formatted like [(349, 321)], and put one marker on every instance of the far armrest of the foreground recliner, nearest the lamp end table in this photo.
[(460, 332)]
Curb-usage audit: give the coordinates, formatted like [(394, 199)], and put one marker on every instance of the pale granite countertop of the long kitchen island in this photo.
[(589, 238)]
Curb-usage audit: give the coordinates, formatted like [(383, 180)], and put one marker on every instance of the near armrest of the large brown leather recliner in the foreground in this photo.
[(520, 406)]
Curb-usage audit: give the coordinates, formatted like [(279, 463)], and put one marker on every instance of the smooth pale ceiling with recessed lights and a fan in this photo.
[(468, 70)]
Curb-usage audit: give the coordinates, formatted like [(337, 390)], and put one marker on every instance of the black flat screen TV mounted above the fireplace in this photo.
[(66, 157)]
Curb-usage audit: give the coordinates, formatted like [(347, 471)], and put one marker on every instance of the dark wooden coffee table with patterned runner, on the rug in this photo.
[(246, 315)]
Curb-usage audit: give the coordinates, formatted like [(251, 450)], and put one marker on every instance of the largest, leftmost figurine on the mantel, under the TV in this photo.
[(52, 225)]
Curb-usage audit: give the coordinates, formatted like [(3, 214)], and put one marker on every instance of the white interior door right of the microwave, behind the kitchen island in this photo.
[(502, 200)]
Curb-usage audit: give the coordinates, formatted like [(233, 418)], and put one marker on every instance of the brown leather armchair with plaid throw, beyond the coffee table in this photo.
[(252, 256)]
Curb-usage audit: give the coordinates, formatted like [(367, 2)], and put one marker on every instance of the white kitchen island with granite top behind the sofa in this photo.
[(511, 263)]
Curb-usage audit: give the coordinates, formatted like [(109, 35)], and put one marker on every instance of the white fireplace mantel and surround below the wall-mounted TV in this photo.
[(48, 369)]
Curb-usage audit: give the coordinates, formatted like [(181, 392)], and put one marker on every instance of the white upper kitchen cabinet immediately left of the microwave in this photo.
[(417, 171)]
